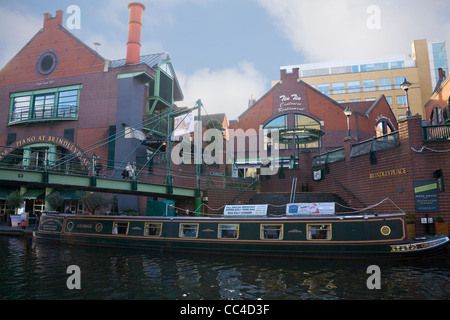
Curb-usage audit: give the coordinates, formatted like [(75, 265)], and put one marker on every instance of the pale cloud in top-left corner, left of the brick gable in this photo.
[(18, 27)]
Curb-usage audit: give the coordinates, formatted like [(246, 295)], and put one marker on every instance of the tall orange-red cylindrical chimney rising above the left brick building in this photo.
[(134, 32)]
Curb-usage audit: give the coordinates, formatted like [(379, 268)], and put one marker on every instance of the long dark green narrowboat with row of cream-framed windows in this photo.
[(353, 236)]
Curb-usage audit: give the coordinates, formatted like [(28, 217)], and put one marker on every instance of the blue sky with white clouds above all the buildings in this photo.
[(226, 51)]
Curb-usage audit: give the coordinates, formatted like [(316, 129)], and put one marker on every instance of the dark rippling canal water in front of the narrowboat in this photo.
[(35, 269)]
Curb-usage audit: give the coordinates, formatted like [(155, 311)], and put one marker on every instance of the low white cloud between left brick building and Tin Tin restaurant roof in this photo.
[(223, 91)]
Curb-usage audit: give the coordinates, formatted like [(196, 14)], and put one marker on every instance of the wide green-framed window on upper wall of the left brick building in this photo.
[(48, 104)]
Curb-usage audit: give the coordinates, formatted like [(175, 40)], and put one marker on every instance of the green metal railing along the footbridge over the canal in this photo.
[(185, 175)]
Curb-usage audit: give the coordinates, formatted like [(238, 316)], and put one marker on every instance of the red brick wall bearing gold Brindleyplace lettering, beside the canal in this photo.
[(351, 179)]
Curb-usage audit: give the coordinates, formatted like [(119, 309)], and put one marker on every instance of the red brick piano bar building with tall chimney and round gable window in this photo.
[(61, 99)]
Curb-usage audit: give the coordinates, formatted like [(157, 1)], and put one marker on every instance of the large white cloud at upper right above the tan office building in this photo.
[(334, 30)]
